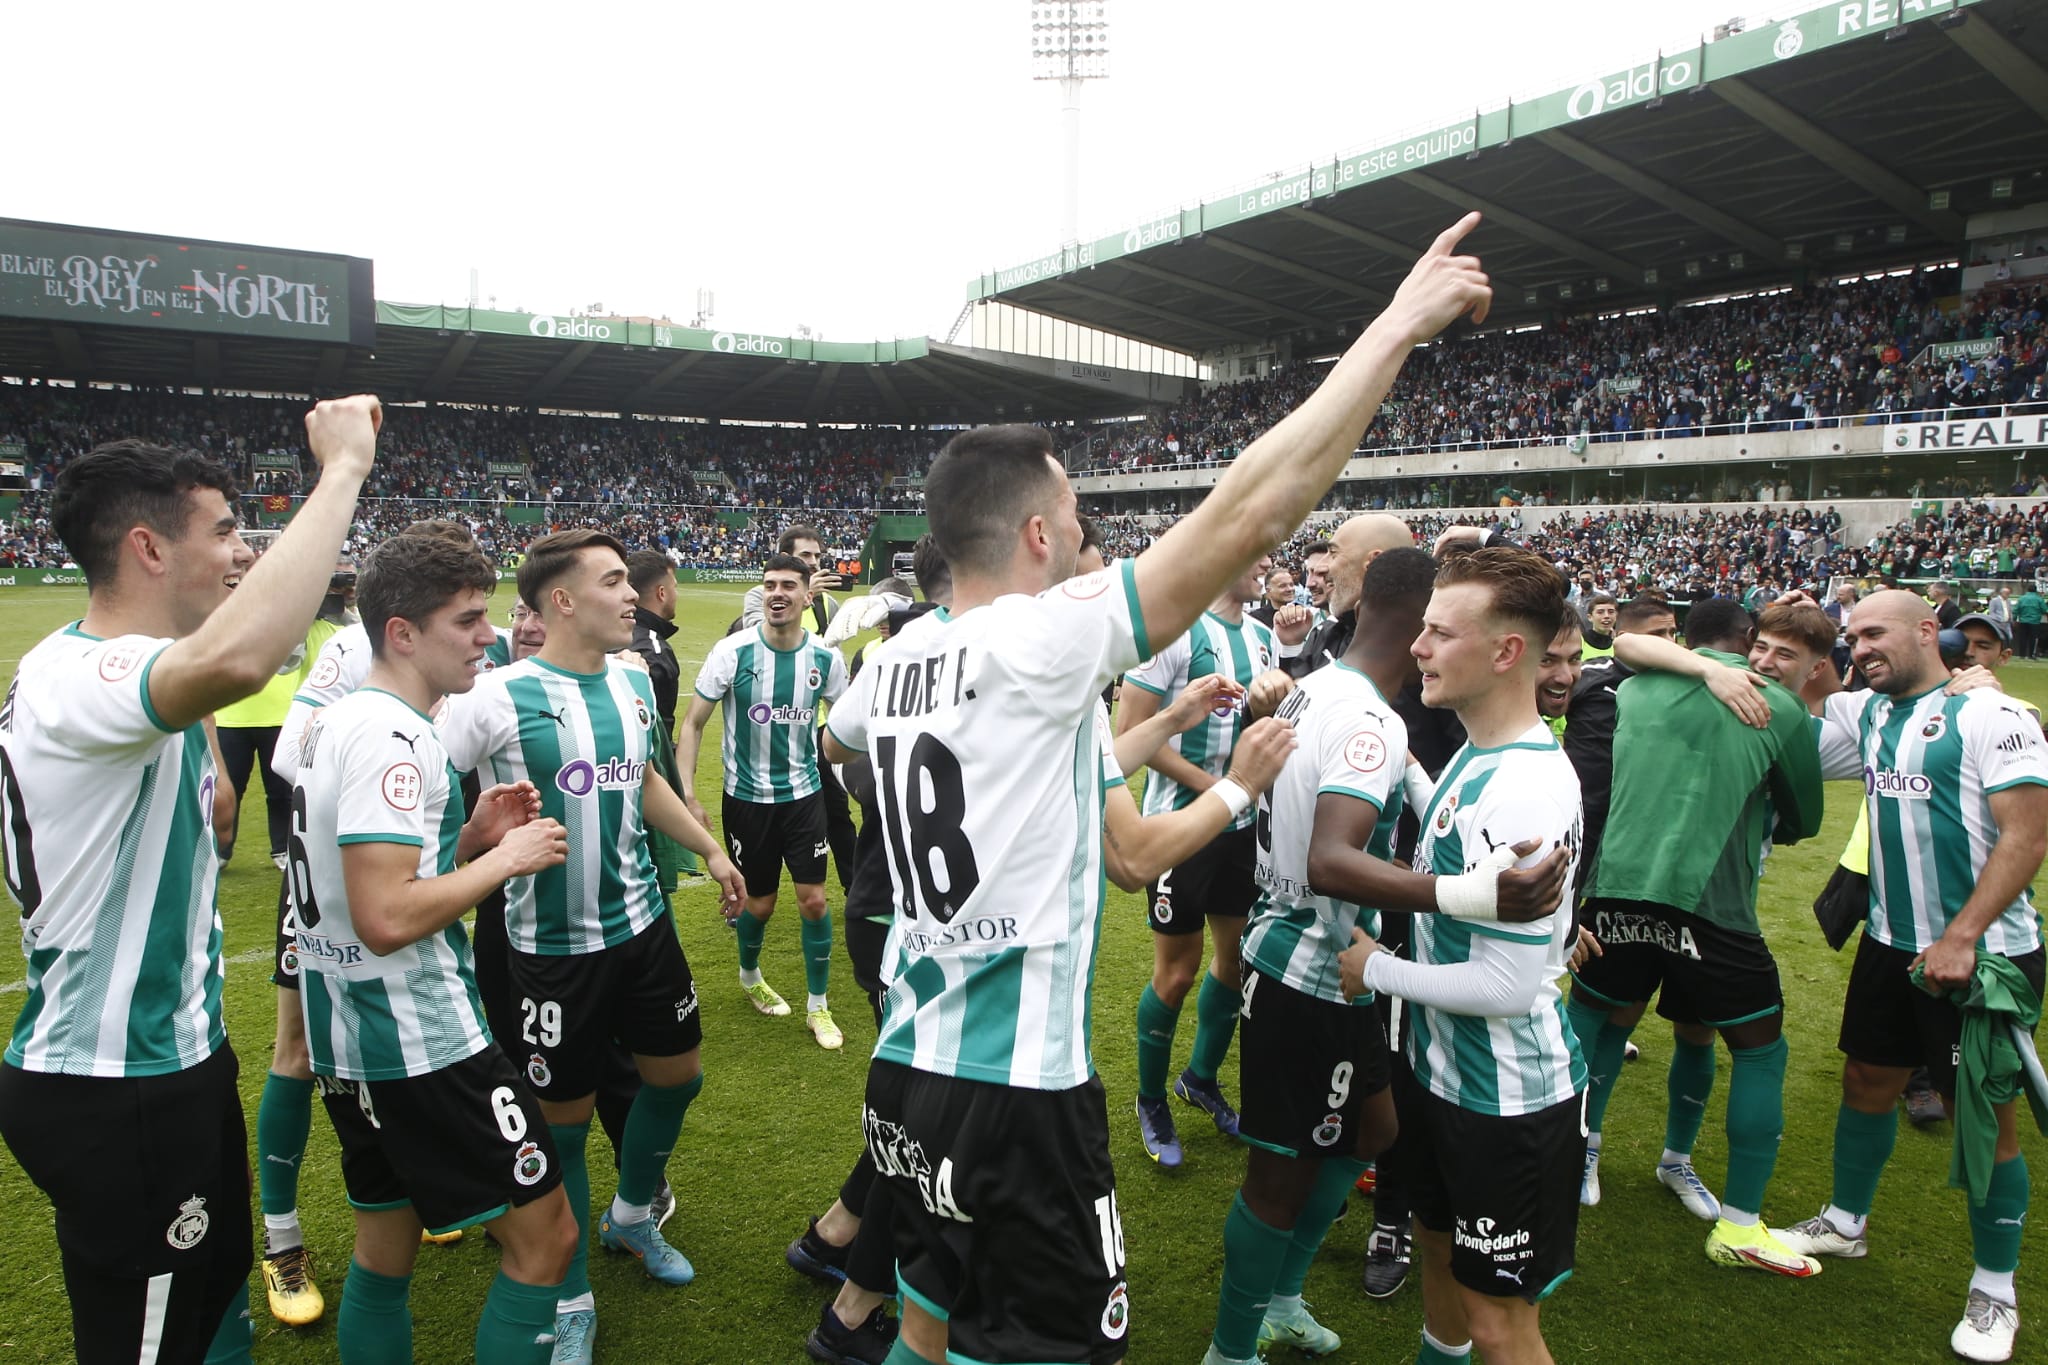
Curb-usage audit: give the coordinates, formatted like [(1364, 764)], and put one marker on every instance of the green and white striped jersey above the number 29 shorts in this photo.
[(585, 742)]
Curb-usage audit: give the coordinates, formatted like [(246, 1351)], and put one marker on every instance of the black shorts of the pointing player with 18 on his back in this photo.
[(1007, 1219)]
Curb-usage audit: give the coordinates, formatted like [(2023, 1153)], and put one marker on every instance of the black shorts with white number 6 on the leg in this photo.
[(460, 1145)]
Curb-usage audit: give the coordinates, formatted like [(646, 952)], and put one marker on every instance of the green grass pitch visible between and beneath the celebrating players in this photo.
[(777, 1131)]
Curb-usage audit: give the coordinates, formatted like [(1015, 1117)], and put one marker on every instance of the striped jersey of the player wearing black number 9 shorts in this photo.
[(1351, 744)]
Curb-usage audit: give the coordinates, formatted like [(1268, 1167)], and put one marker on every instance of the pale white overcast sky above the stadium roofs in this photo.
[(833, 167)]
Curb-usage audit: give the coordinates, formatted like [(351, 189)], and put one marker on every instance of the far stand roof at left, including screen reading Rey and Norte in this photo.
[(124, 308)]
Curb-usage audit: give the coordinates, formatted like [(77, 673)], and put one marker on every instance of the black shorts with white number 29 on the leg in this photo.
[(574, 1008)]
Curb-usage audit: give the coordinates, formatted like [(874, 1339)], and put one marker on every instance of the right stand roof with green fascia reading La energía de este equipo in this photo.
[(1840, 140)]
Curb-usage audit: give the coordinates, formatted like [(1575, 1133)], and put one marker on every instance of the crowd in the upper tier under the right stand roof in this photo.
[(1779, 361)]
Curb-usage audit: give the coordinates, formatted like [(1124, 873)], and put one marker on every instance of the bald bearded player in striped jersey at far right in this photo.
[(1957, 795)]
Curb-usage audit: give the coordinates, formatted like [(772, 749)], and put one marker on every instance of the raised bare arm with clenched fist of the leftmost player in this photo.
[(241, 648)]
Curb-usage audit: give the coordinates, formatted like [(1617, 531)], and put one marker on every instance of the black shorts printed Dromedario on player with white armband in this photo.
[(1506, 1190)]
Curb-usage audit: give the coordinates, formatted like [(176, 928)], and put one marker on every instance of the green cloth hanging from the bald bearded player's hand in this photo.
[(1998, 1010)]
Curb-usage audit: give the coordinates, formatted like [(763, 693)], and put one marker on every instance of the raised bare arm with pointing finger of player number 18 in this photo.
[(1279, 480)]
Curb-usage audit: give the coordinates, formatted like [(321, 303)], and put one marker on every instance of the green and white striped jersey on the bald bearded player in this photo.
[(1930, 766)]
